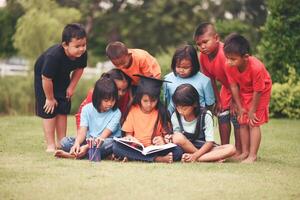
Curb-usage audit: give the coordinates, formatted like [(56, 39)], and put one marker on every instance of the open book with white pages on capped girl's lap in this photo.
[(140, 147)]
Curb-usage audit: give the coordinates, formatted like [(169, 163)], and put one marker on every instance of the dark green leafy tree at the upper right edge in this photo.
[(279, 46)]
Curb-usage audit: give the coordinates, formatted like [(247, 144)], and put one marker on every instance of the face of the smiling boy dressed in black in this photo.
[(75, 48)]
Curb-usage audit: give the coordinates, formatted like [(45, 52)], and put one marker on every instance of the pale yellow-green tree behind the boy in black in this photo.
[(41, 26)]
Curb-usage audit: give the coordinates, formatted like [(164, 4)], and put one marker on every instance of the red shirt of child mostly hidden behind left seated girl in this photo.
[(122, 105)]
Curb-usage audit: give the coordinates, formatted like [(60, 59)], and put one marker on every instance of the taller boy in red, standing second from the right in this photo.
[(212, 62)]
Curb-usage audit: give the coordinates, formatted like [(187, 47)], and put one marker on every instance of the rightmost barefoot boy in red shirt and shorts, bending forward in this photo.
[(251, 85)]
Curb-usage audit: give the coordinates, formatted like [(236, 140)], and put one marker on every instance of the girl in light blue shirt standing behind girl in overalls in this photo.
[(185, 67)]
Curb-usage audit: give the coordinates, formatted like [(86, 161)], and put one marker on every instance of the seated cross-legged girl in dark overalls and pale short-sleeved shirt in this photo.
[(193, 128)]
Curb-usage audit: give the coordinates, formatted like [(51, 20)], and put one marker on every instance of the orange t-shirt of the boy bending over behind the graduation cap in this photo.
[(142, 63)]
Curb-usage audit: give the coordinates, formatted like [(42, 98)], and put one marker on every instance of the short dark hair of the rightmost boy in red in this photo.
[(236, 44)]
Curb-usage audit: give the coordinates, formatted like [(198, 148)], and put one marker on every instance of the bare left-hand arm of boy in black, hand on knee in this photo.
[(50, 102)]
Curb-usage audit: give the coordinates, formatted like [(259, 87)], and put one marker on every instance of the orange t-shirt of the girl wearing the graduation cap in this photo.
[(141, 125)]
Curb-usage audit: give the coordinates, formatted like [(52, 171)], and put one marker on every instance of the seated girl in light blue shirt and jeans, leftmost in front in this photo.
[(100, 120)]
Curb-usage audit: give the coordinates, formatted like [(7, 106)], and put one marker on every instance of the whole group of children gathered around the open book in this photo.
[(126, 101)]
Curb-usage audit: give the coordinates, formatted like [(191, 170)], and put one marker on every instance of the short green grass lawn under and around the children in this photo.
[(27, 172)]
